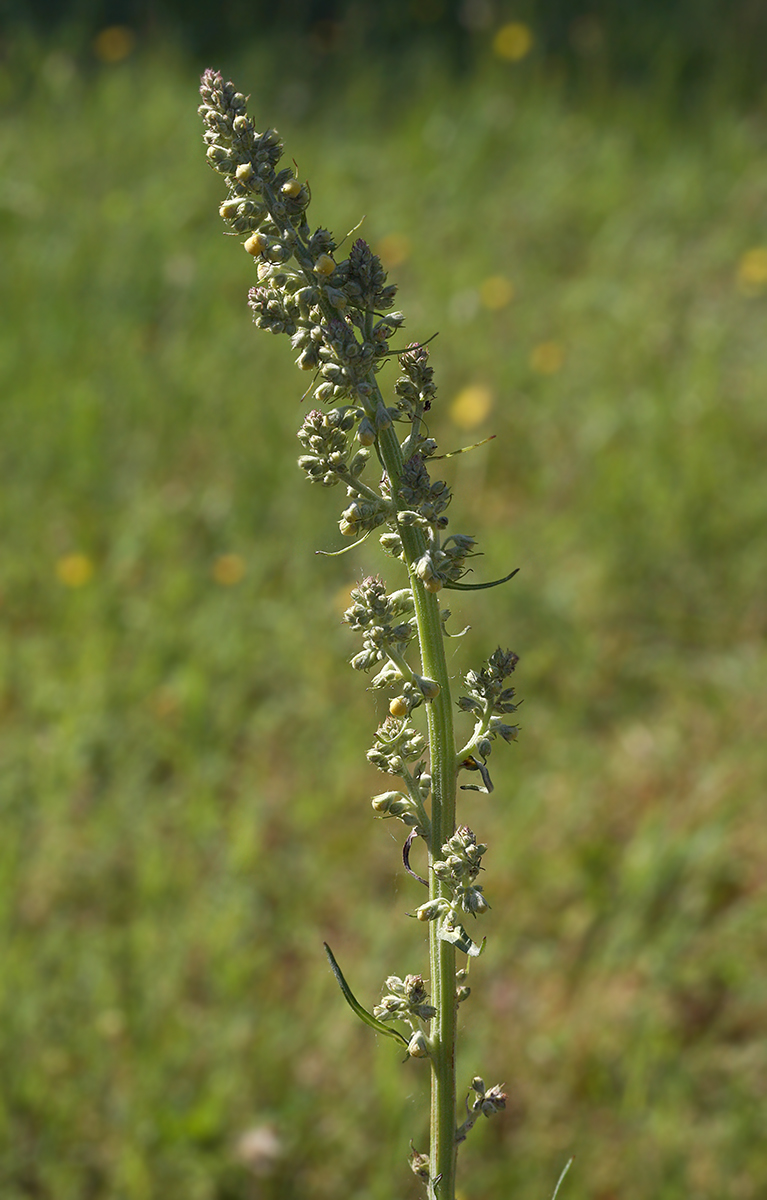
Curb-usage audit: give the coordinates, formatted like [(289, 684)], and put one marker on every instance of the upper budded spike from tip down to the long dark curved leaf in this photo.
[(335, 315)]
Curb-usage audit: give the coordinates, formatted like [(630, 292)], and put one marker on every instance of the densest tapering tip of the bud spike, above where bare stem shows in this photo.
[(321, 304)]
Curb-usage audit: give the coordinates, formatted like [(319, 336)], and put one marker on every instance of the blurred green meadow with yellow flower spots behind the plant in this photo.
[(576, 199)]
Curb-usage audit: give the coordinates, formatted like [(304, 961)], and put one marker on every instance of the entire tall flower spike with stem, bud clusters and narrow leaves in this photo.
[(334, 315)]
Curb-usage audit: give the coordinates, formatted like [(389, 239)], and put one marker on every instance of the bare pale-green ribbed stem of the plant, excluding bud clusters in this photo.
[(444, 772)]
